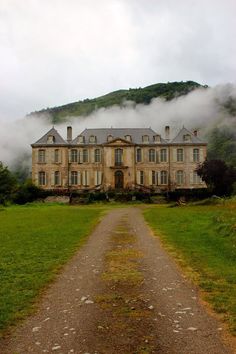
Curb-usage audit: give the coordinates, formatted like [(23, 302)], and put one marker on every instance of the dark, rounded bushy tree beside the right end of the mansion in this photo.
[(219, 177)]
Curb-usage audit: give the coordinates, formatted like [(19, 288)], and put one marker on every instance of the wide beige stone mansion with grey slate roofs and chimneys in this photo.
[(106, 159)]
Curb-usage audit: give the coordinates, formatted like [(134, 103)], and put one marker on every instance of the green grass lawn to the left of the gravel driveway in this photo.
[(35, 241)]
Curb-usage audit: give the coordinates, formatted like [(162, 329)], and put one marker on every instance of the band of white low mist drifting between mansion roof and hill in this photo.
[(201, 109)]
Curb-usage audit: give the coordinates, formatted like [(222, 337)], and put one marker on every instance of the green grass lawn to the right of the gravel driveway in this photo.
[(203, 240)]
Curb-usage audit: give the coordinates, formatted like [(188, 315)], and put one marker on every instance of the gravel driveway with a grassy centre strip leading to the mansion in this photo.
[(120, 294)]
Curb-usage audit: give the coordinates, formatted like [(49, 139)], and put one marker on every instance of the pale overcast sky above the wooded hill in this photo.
[(54, 52)]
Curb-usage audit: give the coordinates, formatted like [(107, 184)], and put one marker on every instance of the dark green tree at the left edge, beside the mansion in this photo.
[(7, 184)]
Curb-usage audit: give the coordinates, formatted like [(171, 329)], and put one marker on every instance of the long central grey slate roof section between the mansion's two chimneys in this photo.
[(102, 134)]
